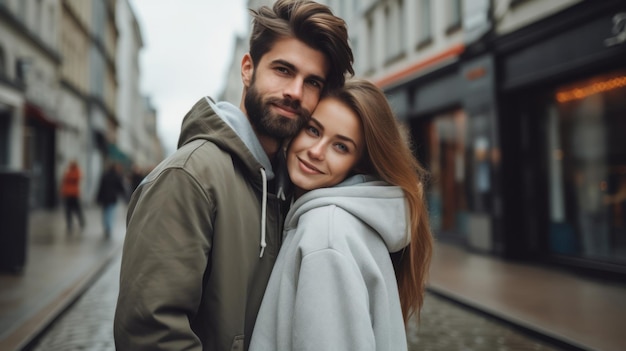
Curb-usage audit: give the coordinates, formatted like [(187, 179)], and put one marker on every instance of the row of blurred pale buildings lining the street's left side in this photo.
[(69, 90)]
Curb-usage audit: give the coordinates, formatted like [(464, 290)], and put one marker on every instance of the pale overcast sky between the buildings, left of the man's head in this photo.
[(188, 47)]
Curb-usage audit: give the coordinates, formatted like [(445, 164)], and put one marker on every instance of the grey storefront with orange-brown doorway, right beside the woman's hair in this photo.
[(451, 115)]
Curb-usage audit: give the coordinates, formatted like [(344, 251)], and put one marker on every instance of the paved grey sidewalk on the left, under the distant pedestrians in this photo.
[(59, 267)]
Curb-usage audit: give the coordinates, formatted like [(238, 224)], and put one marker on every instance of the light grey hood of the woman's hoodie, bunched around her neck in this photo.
[(378, 204)]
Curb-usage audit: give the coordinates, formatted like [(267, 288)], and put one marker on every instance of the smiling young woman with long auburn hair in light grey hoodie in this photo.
[(357, 243)]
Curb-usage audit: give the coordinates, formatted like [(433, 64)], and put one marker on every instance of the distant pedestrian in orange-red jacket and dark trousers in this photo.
[(70, 191)]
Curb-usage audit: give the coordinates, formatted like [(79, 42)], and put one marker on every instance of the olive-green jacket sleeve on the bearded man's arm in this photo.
[(165, 256)]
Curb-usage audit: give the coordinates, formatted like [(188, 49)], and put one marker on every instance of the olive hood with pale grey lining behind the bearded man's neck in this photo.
[(225, 125)]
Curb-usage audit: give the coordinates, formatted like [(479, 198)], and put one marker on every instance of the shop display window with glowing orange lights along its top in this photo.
[(586, 132)]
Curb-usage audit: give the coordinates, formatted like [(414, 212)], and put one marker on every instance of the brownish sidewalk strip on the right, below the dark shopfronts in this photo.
[(578, 311)]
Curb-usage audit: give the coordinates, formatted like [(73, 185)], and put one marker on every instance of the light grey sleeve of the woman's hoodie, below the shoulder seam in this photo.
[(331, 309)]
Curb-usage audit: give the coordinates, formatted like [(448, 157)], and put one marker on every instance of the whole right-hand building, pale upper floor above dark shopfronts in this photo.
[(514, 107)]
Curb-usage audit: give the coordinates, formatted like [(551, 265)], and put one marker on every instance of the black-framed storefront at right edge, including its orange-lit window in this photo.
[(562, 124)]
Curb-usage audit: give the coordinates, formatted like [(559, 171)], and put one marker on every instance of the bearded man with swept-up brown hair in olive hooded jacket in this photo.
[(204, 227)]
